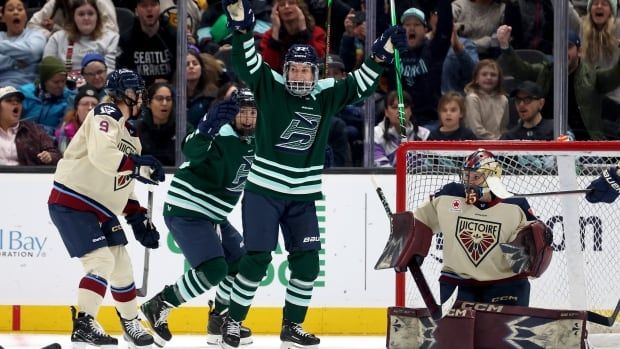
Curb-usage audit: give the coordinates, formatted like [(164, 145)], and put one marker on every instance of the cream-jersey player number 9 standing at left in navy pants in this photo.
[(93, 184)]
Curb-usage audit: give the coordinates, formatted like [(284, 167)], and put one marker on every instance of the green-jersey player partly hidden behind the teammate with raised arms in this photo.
[(202, 193)]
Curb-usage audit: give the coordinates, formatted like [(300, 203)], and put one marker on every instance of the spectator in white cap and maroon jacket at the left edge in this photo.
[(22, 142)]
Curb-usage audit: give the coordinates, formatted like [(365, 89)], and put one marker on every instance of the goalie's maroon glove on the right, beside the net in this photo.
[(530, 252)]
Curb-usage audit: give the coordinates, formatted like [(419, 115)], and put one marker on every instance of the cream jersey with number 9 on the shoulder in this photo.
[(94, 172)]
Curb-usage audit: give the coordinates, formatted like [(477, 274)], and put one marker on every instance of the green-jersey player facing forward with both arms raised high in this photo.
[(285, 178)]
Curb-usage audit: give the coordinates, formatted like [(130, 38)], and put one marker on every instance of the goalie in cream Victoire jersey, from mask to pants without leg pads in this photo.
[(490, 245)]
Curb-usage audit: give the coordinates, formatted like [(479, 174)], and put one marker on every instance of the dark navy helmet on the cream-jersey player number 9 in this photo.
[(126, 85)]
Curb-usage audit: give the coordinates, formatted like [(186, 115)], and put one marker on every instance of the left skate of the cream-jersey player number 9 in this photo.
[(87, 331)]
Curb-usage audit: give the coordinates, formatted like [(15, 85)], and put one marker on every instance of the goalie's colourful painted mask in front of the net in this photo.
[(482, 174)]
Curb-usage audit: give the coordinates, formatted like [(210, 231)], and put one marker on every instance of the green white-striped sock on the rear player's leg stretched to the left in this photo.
[(196, 281)]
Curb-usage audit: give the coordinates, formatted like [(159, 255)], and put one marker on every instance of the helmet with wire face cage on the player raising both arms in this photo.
[(300, 54)]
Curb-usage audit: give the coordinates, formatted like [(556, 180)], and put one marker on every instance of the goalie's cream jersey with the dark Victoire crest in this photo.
[(472, 233)]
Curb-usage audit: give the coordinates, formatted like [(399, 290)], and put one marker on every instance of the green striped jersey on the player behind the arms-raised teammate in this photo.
[(211, 181)]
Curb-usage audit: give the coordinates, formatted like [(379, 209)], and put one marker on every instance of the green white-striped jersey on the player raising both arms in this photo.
[(292, 131)]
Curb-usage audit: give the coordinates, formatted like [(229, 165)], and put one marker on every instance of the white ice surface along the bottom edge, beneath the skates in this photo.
[(32, 341)]
